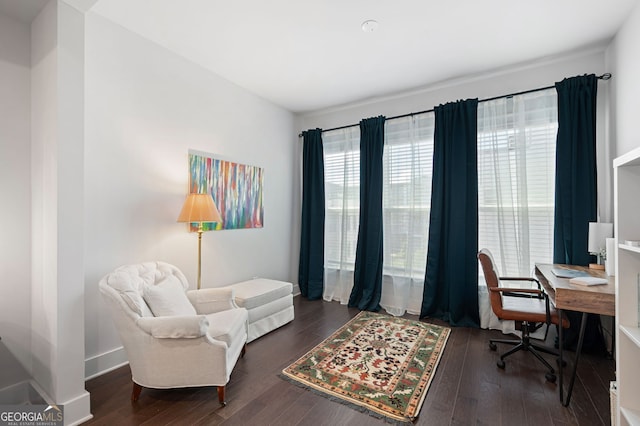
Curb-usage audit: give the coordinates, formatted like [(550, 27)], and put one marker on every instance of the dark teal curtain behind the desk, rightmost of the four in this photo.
[(576, 186)]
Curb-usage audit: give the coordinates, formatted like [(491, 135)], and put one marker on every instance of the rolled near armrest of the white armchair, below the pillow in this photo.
[(175, 327)]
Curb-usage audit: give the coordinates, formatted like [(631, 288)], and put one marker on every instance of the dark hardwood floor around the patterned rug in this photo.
[(467, 387)]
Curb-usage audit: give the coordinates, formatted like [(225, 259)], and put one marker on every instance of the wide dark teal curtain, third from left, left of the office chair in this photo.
[(451, 278)]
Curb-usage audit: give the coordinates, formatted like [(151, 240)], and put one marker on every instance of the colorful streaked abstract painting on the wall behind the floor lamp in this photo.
[(236, 189)]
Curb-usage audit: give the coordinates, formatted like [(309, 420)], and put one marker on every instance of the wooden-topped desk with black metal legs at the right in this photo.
[(598, 299)]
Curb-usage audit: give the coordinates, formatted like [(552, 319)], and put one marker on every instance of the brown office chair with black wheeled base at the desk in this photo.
[(528, 307)]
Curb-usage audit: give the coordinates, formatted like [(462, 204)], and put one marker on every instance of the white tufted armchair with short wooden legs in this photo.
[(173, 337)]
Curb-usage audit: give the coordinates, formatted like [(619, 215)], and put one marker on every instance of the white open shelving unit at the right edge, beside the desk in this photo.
[(627, 228)]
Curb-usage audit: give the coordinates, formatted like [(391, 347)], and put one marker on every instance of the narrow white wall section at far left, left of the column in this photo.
[(15, 189)]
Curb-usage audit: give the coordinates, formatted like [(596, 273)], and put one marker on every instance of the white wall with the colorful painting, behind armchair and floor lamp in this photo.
[(145, 108)]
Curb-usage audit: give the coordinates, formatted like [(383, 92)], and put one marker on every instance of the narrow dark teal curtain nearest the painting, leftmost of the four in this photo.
[(311, 267)]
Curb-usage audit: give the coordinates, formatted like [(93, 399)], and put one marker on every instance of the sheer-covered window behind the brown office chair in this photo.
[(516, 179)]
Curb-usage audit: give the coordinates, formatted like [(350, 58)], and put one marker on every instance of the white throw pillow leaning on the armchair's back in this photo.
[(167, 298)]
